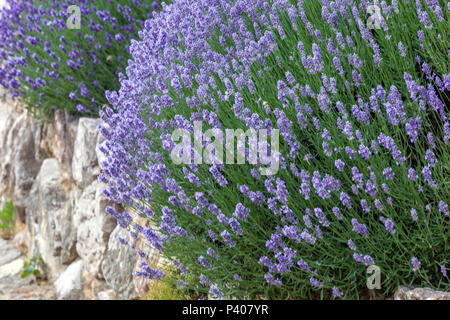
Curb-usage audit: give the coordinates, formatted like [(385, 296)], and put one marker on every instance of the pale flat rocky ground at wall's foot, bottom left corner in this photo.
[(12, 285)]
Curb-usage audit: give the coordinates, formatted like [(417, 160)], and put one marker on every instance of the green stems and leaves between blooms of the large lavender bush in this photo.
[(331, 259)]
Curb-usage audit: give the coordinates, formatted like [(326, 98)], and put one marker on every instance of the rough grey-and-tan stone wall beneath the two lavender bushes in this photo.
[(50, 172)]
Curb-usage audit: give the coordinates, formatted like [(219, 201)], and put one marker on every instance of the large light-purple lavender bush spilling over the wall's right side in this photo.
[(364, 131)]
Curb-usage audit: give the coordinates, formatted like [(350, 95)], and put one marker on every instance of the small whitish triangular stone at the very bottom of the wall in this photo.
[(69, 285)]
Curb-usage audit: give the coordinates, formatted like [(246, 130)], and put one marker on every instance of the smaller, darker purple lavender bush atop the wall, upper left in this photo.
[(47, 60)]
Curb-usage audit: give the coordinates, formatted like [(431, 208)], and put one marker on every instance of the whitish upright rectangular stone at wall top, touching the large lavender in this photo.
[(85, 167)]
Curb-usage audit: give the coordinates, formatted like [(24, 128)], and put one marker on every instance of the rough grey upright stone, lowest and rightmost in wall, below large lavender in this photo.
[(118, 265)]
